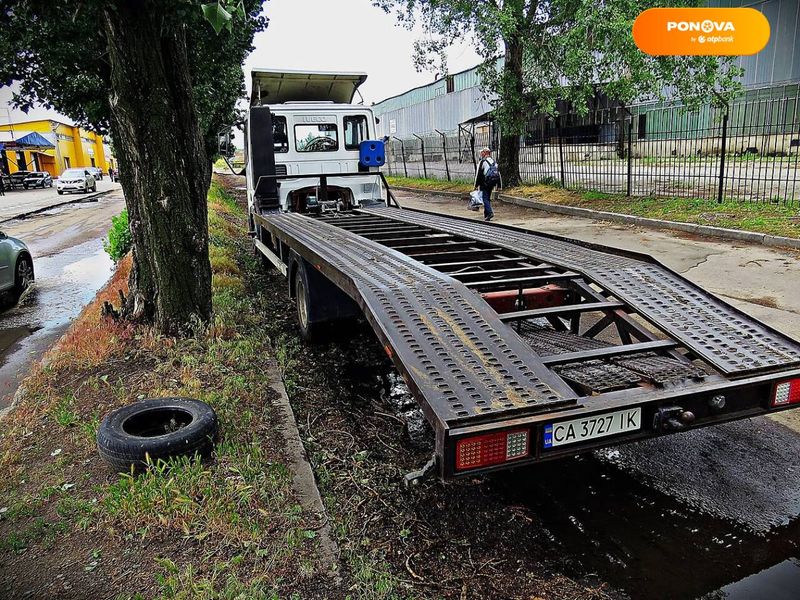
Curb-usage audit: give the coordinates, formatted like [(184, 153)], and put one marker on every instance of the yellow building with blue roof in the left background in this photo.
[(71, 147)]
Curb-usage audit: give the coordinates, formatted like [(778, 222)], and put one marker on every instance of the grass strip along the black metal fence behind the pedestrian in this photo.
[(774, 218)]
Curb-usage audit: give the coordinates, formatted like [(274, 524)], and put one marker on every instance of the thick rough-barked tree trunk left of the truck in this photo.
[(164, 170)]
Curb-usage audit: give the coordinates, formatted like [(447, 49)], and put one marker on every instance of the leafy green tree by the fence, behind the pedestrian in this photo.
[(559, 49)]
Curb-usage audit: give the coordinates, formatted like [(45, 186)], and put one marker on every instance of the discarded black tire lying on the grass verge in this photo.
[(158, 428)]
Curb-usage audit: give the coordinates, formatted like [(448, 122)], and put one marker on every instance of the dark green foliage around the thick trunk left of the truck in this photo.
[(59, 66)]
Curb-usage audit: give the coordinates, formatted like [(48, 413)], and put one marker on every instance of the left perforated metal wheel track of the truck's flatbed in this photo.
[(451, 345)]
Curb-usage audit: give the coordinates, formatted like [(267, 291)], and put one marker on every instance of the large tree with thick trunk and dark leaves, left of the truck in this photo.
[(155, 74)]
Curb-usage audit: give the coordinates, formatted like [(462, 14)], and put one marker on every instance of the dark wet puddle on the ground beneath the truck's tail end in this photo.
[(680, 518)]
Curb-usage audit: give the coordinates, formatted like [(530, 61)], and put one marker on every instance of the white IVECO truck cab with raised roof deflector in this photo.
[(302, 130)]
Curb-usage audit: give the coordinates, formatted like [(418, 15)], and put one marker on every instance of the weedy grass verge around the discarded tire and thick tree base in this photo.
[(228, 528)]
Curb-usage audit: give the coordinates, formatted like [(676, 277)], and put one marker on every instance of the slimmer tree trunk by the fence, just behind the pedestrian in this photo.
[(515, 110)]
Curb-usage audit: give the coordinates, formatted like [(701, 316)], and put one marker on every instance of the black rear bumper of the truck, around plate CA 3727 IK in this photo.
[(743, 399)]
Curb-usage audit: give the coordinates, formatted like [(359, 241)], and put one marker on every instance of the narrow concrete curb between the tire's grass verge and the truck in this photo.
[(303, 477)]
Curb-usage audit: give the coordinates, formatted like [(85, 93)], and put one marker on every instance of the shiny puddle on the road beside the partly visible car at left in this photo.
[(65, 283)]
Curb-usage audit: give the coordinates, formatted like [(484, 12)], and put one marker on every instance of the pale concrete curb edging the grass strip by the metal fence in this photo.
[(720, 232)]
